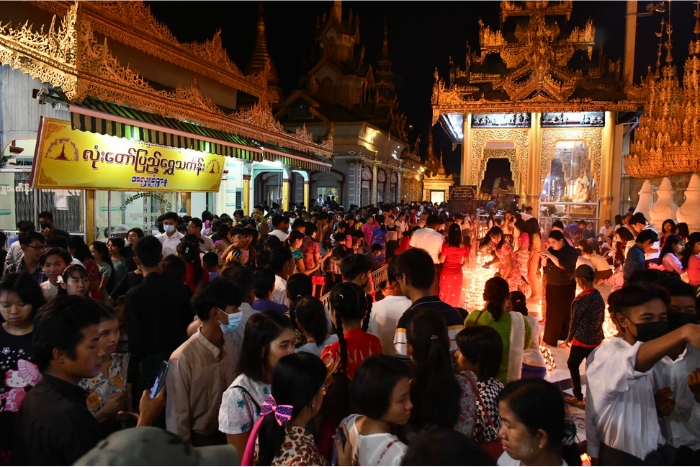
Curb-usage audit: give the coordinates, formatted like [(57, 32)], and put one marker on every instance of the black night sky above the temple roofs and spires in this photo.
[(422, 35)]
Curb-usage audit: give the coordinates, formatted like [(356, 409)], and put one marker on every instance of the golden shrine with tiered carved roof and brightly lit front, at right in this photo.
[(546, 101)]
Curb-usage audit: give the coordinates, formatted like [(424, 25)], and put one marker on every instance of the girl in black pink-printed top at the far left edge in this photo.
[(20, 298)]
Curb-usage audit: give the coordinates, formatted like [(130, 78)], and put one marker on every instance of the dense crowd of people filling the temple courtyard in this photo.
[(263, 339)]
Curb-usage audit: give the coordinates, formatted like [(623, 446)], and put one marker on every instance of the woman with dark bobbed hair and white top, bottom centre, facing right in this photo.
[(381, 394)]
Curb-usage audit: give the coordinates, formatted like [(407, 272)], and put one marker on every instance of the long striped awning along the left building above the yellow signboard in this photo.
[(106, 118)]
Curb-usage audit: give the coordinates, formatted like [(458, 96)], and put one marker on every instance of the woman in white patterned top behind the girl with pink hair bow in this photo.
[(268, 337)]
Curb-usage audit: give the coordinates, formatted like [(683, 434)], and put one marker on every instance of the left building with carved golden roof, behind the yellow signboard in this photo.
[(113, 63)]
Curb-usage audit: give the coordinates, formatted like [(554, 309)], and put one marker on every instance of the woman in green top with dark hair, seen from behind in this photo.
[(511, 326)]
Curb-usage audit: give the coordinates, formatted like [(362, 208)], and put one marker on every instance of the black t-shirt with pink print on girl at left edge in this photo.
[(17, 376)]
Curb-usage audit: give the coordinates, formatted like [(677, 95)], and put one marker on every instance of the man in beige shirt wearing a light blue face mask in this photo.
[(201, 368)]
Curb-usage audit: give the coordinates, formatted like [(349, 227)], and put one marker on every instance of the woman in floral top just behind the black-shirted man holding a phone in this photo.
[(108, 393)]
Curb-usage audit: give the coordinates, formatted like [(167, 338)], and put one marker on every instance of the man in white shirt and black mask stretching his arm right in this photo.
[(620, 390)]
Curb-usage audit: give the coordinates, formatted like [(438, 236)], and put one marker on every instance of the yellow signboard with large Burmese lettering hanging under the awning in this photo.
[(73, 159)]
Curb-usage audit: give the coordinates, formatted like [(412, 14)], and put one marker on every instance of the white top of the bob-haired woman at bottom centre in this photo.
[(376, 449)]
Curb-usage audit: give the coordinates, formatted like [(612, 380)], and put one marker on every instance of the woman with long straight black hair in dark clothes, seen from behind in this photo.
[(441, 398)]
